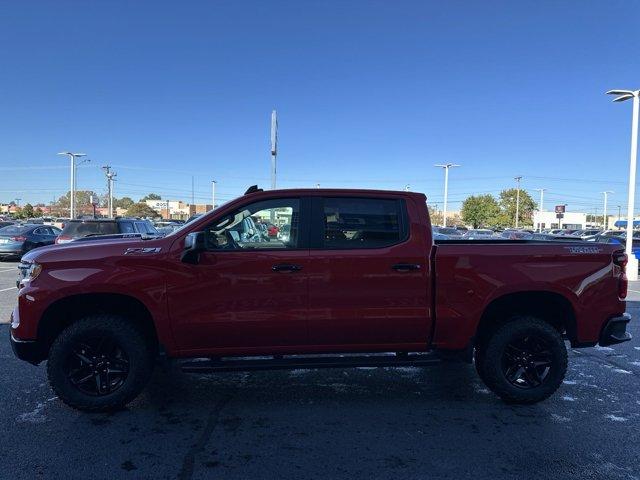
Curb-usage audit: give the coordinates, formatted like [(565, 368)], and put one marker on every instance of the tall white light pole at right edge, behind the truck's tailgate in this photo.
[(632, 270)]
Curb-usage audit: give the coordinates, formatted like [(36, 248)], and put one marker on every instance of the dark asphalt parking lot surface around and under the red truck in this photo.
[(439, 422)]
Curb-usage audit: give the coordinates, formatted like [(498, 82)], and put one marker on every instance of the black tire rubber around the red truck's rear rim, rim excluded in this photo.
[(491, 360)]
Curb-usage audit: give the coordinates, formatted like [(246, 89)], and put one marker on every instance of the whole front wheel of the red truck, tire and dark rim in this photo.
[(99, 363)]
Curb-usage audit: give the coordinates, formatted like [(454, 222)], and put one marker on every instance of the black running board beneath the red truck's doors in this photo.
[(289, 362)]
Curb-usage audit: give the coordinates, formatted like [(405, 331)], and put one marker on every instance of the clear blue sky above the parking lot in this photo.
[(369, 94)]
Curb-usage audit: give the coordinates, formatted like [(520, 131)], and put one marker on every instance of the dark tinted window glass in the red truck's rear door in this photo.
[(354, 223)]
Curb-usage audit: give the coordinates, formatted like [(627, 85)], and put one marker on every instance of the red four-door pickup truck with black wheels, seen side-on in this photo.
[(358, 273)]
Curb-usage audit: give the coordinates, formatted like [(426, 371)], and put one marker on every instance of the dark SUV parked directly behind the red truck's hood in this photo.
[(75, 229)]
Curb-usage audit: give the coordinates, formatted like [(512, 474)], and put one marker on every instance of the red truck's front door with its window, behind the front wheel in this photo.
[(250, 288)]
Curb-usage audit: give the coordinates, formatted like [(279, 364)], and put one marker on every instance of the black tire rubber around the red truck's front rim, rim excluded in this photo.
[(130, 340)]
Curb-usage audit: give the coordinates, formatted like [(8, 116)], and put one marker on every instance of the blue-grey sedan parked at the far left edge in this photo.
[(16, 240)]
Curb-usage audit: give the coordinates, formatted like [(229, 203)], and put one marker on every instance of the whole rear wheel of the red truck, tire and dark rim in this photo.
[(524, 361)]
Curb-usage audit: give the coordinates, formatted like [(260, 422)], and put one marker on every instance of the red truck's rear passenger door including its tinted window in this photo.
[(368, 273)]
